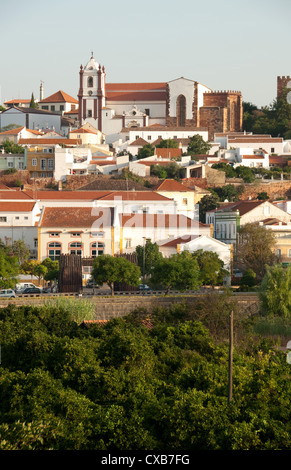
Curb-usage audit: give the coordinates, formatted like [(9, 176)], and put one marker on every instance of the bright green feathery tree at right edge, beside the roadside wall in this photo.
[(275, 291)]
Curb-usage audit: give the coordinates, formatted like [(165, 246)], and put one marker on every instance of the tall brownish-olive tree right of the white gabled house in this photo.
[(255, 248)]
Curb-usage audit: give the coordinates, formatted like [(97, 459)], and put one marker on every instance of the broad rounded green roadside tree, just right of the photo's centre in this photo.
[(180, 271)]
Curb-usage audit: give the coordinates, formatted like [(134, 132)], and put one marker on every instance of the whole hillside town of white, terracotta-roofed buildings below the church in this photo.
[(128, 162)]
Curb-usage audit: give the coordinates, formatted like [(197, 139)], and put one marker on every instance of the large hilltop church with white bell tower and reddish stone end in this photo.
[(177, 104)]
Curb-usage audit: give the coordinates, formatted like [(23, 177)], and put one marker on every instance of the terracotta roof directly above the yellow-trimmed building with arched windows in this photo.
[(76, 217)]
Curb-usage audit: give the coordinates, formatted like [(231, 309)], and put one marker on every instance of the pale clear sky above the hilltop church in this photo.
[(226, 45)]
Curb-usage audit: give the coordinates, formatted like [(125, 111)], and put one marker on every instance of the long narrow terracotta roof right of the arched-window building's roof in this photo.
[(158, 221)]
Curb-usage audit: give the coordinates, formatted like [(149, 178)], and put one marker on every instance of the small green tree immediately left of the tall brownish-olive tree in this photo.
[(211, 267)]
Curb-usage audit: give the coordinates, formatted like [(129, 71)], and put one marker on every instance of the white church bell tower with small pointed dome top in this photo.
[(91, 93)]
